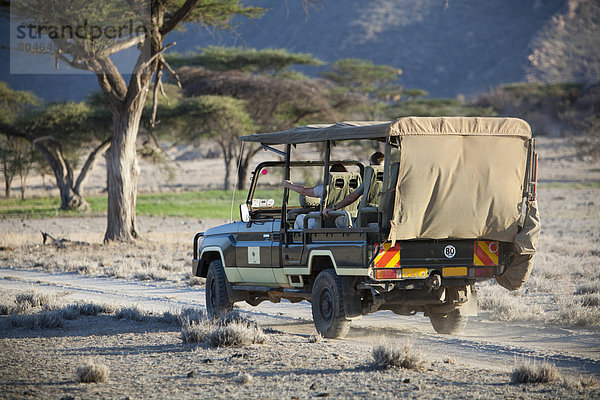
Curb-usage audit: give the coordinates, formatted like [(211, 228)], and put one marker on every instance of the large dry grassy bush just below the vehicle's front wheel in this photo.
[(229, 331)]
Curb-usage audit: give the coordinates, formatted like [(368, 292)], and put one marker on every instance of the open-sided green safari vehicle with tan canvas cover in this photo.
[(454, 204)]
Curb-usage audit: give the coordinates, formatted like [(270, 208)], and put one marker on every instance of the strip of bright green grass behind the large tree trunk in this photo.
[(205, 204)]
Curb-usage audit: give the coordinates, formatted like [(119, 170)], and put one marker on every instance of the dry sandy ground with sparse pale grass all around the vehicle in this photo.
[(150, 360)]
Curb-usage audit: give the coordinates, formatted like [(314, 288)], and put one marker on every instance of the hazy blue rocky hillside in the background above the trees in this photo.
[(447, 47)]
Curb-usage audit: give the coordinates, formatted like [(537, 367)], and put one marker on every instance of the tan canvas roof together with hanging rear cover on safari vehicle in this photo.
[(458, 177)]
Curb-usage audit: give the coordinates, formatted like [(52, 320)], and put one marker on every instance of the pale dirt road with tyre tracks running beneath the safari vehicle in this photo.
[(488, 344)]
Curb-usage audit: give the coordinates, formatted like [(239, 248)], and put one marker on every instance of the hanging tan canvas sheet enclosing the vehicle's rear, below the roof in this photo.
[(459, 186)]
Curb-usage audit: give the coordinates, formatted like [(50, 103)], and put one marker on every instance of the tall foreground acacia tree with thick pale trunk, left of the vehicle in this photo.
[(92, 52)]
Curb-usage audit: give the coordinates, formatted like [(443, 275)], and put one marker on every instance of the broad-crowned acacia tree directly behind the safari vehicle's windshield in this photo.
[(276, 97)]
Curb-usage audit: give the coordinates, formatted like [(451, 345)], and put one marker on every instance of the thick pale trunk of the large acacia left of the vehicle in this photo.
[(122, 173)]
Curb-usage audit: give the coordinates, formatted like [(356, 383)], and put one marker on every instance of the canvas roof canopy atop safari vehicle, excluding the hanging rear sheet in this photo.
[(400, 127)]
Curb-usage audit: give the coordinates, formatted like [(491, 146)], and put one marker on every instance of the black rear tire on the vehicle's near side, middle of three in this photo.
[(328, 306)]
